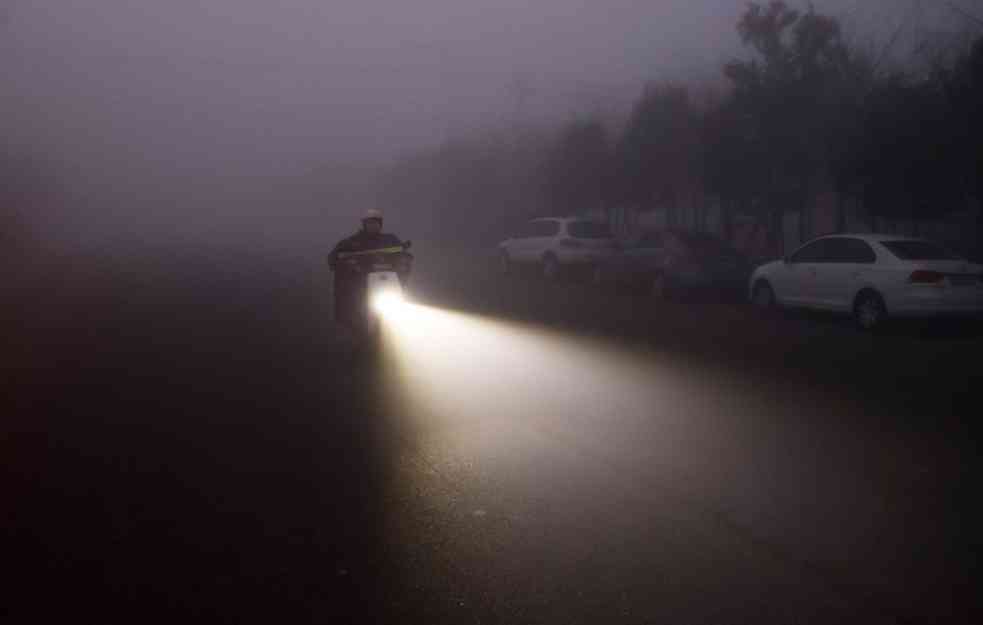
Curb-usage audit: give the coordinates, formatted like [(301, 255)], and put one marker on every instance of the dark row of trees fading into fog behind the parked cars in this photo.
[(803, 114)]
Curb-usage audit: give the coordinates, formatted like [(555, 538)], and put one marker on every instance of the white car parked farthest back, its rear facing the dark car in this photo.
[(553, 243)]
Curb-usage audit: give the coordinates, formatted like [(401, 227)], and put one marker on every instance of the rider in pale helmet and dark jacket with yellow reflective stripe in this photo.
[(349, 283)]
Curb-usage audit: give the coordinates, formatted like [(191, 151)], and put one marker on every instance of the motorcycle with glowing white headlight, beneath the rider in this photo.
[(385, 272)]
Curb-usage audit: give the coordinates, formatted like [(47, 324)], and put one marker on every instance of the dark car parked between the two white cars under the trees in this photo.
[(666, 261)]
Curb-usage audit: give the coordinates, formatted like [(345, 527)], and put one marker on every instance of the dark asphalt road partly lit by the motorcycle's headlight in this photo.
[(191, 439)]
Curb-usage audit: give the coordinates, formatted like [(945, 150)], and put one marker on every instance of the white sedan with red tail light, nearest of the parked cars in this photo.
[(871, 276)]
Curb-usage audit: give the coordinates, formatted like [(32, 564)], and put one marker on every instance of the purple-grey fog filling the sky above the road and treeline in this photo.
[(226, 118)]
